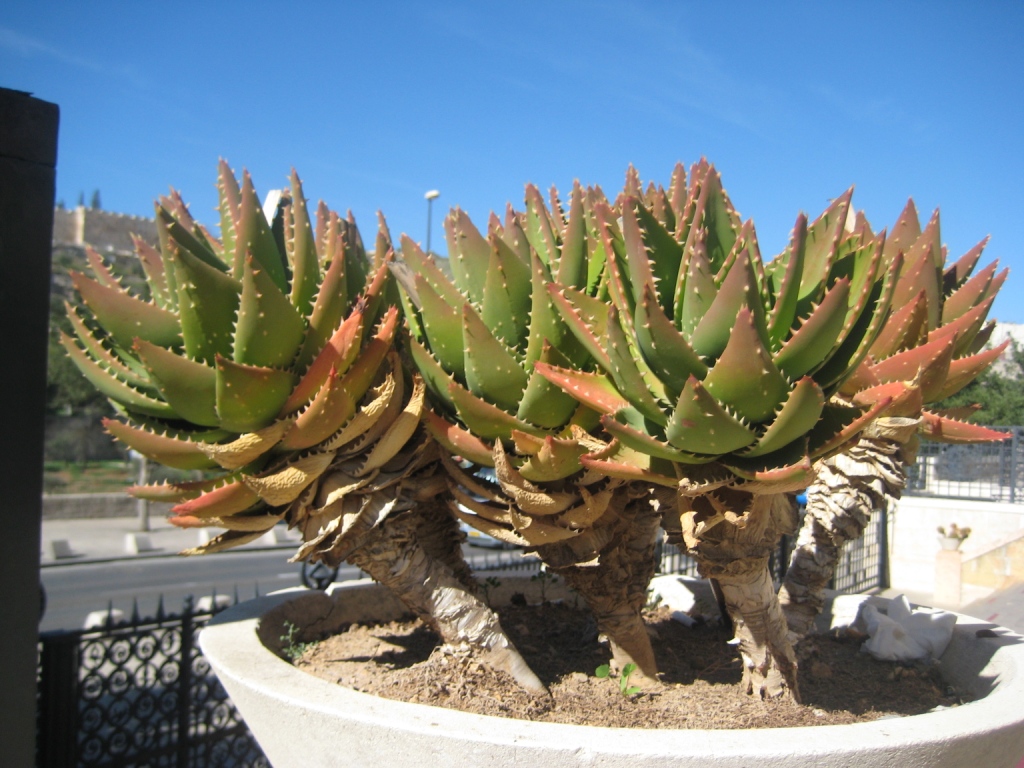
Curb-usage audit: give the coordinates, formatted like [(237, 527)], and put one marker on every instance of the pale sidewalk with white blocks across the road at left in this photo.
[(92, 539)]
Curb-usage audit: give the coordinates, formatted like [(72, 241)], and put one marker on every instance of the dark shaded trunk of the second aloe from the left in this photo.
[(615, 583)]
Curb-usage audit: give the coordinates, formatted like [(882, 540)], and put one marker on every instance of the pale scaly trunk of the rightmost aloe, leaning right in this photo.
[(847, 490)]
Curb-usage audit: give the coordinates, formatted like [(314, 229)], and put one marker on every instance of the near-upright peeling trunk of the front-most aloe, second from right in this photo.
[(733, 547)]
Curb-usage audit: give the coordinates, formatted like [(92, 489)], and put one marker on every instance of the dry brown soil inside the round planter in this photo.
[(701, 671)]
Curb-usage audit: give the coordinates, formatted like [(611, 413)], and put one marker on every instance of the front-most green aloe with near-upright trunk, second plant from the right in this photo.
[(716, 375)]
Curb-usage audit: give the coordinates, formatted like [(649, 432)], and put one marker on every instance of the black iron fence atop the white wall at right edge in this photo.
[(991, 472)]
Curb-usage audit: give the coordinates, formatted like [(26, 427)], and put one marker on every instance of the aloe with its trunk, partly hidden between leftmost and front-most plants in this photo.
[(480, 338)]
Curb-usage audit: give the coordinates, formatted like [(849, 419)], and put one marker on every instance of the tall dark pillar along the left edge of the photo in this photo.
[(28, 164)]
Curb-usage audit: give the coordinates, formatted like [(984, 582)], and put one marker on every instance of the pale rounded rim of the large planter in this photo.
[(232, 645)]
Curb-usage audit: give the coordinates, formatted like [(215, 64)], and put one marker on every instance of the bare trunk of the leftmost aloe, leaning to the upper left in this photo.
[(416, 556)]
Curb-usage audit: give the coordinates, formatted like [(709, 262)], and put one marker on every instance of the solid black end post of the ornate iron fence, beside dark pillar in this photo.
[(59, 701)]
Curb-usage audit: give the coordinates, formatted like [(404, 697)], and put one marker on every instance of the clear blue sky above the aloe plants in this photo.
[(375, 106)]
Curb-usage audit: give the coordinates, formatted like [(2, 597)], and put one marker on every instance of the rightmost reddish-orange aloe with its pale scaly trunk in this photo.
[(931, 348)]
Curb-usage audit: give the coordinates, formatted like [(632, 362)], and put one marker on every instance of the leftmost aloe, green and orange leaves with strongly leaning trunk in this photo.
[(268, 358)]
